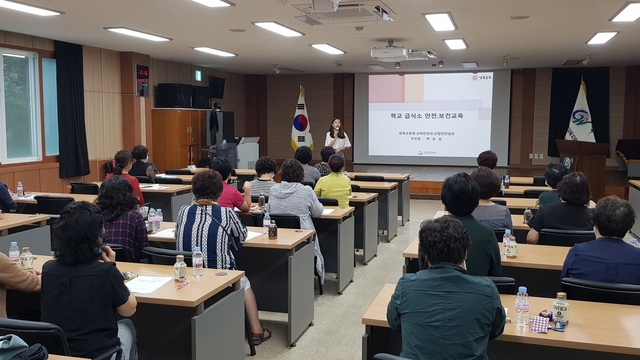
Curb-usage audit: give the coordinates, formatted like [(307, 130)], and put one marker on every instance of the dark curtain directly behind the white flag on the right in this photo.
[(565, 84)]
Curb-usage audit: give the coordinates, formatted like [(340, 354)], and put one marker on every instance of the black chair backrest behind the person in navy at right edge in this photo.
[(578, 289)]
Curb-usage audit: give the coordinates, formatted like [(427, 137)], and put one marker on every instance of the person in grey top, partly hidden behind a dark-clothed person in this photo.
[(493, 215)]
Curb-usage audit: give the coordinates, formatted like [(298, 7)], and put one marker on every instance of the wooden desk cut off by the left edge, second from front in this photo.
[(26, 230)]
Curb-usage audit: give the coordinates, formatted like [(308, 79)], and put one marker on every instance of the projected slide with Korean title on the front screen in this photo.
[(430, 115)]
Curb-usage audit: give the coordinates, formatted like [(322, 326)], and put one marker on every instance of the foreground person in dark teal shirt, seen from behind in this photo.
[(432, 306)]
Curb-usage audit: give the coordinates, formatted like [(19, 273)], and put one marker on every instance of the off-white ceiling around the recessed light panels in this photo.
[(556, 30)]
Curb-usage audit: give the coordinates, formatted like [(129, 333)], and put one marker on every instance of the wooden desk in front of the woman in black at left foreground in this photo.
[(203, 318)]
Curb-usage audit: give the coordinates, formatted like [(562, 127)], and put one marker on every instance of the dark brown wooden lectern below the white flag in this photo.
[(588, 158)]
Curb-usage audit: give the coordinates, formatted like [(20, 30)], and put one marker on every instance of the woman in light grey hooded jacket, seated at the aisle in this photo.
[(291, 197)]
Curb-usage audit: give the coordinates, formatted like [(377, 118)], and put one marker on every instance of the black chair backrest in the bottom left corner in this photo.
[(48, 335)]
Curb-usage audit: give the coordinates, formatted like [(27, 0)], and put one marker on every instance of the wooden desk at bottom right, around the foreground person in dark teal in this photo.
[(595, 331)]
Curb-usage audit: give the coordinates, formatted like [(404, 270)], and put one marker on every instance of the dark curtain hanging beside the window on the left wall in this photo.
[(72, 134)]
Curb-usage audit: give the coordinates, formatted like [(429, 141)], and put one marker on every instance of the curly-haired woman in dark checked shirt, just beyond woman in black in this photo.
[(123, 224)]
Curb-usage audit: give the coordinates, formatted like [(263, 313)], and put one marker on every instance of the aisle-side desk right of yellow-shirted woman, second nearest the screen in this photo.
[(387, 205)]
